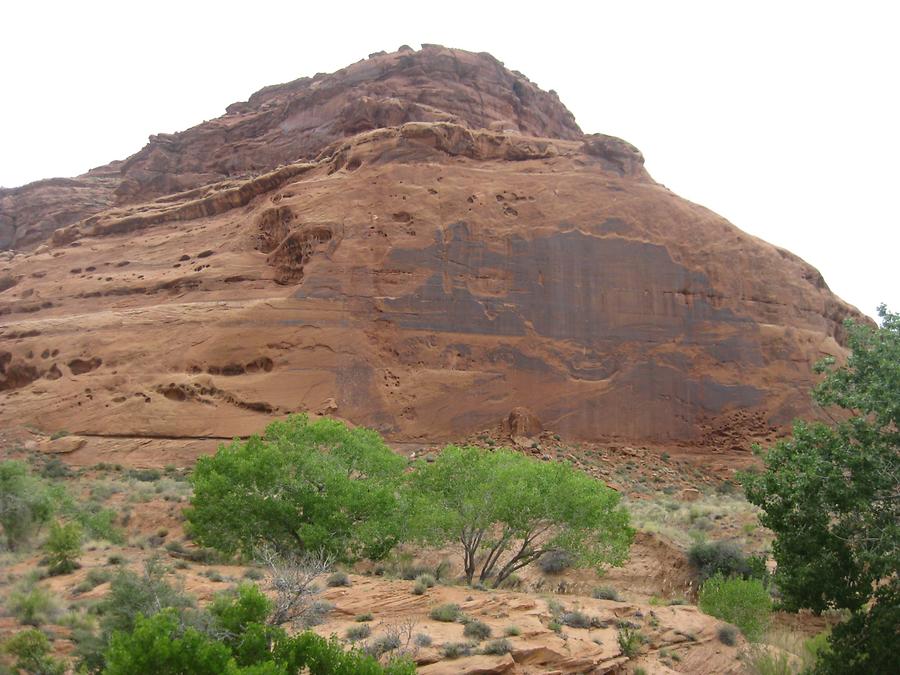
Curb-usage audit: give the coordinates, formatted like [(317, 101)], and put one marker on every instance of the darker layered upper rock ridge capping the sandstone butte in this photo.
[(291, 122)]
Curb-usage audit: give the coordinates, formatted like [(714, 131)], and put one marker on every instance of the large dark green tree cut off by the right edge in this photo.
[(831, 495)]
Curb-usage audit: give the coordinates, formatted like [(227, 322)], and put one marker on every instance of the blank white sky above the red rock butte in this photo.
[(784, 117)]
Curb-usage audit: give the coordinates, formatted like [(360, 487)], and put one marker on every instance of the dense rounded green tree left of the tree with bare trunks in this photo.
[(303, 486)]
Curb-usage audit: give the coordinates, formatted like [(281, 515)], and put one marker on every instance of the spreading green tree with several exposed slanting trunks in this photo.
[(507, 511)]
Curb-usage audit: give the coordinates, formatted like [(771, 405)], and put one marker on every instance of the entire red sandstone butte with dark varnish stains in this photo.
[(420, 243)]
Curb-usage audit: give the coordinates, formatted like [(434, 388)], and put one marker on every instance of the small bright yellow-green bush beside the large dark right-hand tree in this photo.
[(743, 602)]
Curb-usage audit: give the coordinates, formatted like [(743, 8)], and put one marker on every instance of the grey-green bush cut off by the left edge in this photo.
[(26, 503)]
